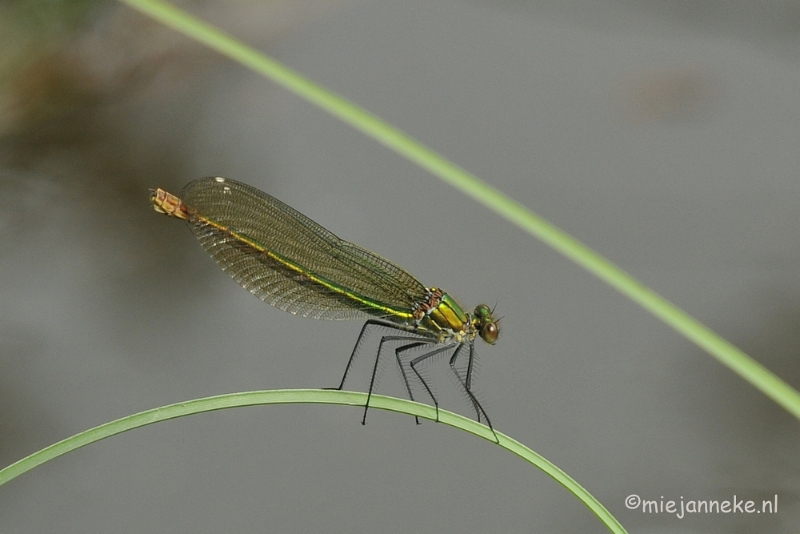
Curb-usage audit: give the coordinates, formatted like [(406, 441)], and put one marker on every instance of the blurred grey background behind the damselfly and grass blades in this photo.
[(662, 134)]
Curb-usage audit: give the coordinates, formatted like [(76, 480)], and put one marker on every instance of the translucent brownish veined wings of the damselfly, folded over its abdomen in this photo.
[(288, 260)]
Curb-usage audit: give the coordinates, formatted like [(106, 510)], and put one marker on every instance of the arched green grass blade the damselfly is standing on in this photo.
[(306, 396)]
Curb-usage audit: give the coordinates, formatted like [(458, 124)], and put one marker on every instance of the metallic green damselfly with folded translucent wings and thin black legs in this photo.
[(293, 263)]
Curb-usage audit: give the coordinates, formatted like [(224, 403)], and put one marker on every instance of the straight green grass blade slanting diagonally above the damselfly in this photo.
[(722, 350)]
